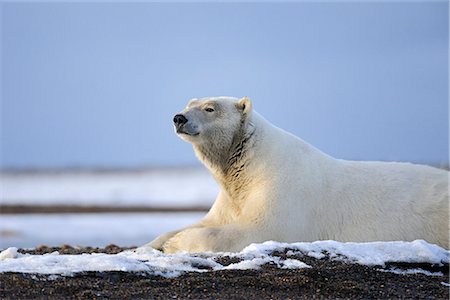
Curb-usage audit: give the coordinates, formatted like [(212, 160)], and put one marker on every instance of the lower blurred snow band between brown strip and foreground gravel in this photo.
[(32, 230)]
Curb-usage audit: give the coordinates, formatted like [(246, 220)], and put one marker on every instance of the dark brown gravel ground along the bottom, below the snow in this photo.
[(326, 279)]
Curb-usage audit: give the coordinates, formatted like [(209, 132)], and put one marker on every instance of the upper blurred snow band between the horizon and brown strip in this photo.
[(165, 187)]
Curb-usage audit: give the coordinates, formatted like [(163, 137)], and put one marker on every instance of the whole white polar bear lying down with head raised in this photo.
[(275, 186)]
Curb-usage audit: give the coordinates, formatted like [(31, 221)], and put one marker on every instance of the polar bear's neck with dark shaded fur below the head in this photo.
[(227, 162)]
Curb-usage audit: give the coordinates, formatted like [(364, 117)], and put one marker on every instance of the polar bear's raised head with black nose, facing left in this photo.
[(215, 120)]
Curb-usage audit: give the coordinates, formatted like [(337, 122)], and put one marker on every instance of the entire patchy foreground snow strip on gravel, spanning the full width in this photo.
[(154, 262)]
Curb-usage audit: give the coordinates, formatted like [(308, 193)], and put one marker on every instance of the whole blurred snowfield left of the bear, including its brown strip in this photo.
[(144, 204)]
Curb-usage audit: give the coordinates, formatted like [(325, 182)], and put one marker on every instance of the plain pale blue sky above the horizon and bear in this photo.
[(97, 84)]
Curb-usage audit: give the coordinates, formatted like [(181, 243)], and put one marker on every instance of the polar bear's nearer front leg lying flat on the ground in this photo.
[(209, 239)]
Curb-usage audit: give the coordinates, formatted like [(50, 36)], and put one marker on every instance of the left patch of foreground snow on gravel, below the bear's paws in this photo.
[(142, 259)]
